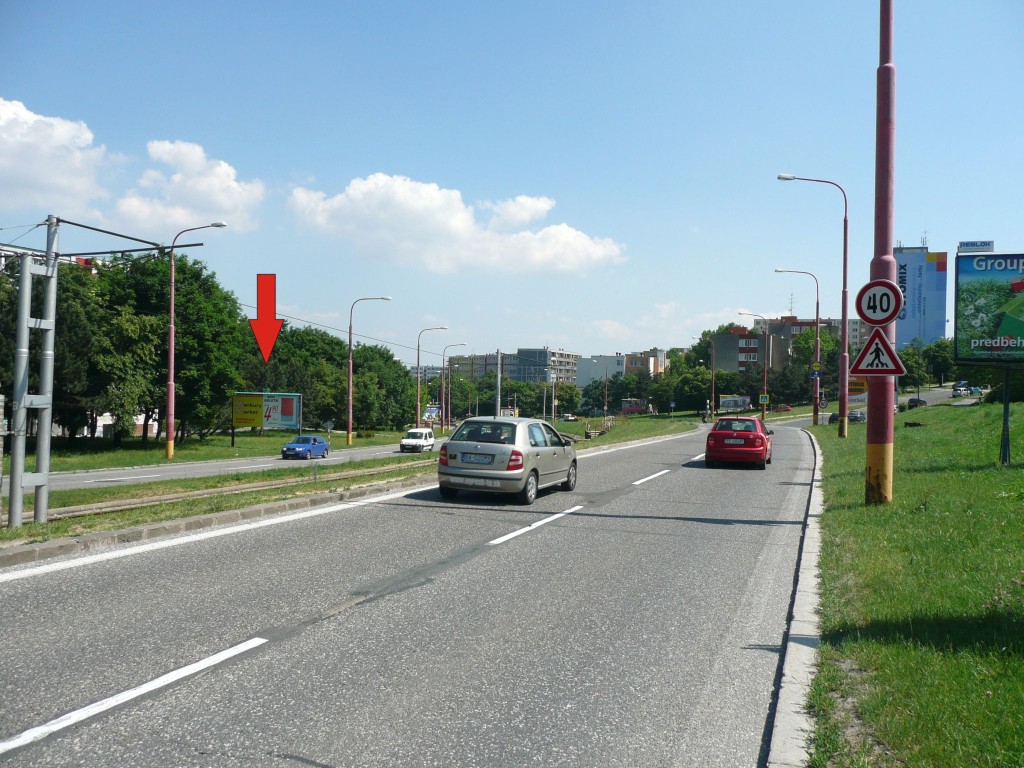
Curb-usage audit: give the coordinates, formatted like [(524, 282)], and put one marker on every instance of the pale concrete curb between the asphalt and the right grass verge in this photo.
[(794, 727)]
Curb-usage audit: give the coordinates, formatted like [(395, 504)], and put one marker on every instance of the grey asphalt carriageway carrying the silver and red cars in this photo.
[(643, 627)]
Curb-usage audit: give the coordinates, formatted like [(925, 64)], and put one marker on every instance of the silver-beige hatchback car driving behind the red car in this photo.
[(506, 456)]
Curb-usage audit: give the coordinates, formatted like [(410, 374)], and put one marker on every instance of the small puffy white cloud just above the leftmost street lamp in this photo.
[(197, 191)]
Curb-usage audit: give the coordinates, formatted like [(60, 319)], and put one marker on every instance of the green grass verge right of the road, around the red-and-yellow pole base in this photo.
[(922, 600)]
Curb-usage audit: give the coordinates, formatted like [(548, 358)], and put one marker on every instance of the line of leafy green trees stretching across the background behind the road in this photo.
[(111, 357)]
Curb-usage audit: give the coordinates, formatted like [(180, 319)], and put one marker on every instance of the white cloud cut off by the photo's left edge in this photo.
[(48, 163)]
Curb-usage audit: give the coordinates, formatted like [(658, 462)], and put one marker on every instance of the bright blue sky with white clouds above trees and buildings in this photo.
[(599, 178)]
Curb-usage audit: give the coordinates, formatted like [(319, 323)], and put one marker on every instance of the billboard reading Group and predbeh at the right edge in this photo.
[(990, 310)]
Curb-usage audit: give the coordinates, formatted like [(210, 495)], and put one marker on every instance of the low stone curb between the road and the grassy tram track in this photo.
[(19, 554)]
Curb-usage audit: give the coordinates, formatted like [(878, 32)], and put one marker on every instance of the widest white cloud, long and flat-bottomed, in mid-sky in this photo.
[(397, 219)]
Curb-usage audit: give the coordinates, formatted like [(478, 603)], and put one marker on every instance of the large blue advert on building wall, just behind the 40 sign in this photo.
[(922, 278)]
